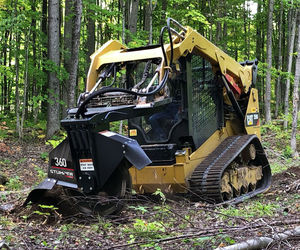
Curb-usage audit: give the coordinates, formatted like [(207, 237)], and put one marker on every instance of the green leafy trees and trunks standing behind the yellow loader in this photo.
[(45, 50)]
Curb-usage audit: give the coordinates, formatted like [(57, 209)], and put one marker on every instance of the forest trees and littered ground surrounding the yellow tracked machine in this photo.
[(45, 48)]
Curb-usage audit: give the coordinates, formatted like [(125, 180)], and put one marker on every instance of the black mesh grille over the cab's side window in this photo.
[(204, 100)]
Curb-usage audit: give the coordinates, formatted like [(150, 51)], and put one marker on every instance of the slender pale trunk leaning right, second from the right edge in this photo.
[(289, 69)]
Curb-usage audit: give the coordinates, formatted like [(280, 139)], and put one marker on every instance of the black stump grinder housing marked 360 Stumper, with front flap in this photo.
[(87, 160)]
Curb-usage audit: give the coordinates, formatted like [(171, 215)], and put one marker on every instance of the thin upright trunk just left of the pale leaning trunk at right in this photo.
[(278, 84)]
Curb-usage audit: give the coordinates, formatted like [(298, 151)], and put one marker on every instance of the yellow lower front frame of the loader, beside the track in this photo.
[(173, 178)]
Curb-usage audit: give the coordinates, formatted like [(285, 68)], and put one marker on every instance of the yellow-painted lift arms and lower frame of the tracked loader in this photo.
[(174, 178)]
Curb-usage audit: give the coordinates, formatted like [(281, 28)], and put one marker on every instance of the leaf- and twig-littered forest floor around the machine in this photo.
[(148, 221)]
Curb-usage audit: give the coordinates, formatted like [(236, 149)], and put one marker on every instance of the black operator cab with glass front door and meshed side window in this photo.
[(194, 113)]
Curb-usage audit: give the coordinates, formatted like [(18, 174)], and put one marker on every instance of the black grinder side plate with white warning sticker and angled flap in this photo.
[(96, 155)]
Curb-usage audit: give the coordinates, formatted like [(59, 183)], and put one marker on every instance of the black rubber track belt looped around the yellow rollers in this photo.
[(206, 178)]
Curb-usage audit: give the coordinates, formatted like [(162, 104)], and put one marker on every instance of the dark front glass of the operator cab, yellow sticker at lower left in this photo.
[(160, 126)]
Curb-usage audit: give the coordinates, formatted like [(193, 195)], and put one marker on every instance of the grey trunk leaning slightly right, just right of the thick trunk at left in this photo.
[(74, 52)]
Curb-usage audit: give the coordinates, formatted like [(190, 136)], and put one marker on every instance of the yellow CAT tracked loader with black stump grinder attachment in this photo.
[(192, 124)]
